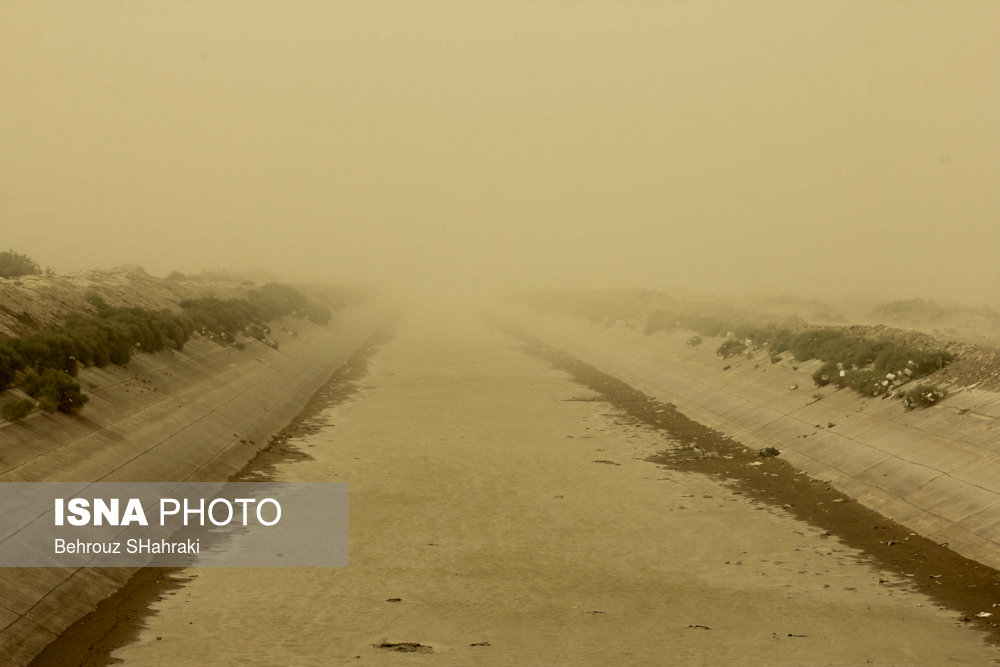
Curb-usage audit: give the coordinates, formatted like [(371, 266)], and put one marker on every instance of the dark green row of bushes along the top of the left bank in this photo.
[(44, 363)]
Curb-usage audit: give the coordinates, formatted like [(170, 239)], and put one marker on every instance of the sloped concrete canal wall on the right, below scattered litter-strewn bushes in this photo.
[(936, 470)]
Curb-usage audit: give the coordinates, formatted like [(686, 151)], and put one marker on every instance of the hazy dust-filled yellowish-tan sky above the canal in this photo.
[(780, 146)]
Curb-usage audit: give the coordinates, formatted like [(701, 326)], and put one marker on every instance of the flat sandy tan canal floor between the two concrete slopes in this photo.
[(478, 500)]
